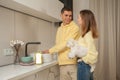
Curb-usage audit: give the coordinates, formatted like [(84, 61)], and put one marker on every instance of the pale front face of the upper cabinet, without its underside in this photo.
[(50, 7)]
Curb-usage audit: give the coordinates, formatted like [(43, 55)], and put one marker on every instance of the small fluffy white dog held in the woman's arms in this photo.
[(77, 51)]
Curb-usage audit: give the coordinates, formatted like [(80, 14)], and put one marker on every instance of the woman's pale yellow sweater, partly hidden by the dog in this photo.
[(89, 42)]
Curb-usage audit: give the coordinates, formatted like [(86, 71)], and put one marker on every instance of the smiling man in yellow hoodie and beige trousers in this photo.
[(66, 31)]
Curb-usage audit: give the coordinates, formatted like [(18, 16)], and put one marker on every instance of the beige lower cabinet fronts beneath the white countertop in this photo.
[(51, 73)]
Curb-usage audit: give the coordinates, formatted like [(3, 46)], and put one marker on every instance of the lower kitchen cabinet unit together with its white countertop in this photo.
[(33, 72)]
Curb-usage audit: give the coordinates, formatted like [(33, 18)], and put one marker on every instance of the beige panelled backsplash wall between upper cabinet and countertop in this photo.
[(15, 25)]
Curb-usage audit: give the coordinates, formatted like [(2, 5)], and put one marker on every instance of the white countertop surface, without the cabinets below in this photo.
[(15, 72)]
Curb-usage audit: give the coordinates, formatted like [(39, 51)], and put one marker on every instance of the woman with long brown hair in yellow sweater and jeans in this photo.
[(87, 23)]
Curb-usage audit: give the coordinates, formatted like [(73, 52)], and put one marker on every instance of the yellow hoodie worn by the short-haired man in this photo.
[(64, 33)]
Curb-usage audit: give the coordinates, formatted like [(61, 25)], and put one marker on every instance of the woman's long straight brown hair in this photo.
[(88, 23)]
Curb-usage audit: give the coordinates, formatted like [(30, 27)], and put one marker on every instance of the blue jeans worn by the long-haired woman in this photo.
[(84, 71)]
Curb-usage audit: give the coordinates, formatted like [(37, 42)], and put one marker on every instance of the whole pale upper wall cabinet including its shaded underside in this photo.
[(45, 9)]
